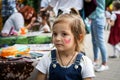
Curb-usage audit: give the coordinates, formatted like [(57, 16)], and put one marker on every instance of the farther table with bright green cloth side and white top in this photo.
[(30, 38)]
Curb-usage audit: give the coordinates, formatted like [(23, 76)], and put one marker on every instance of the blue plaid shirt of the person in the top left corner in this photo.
[(8, 8)]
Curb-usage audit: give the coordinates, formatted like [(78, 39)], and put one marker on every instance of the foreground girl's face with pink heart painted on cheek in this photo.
[(63, 38)]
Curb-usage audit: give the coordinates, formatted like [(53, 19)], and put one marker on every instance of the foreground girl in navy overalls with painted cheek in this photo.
[(66, 62)]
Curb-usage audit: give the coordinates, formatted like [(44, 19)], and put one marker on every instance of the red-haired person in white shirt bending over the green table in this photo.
[(19, 20)]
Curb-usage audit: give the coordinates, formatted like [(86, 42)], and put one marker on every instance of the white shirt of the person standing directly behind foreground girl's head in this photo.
[(65, 5)]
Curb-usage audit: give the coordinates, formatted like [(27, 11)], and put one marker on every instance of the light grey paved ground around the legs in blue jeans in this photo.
[(114, 64)]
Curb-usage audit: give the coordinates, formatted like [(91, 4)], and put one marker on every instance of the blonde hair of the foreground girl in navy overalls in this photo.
[(76, 24)]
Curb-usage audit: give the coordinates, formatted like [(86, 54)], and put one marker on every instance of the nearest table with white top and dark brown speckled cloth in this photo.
[(23, 68)]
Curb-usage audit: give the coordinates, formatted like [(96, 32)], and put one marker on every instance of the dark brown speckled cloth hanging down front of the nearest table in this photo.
[(17, 69)]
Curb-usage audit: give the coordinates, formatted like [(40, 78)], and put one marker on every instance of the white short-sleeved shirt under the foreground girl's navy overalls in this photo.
[(86, 64)]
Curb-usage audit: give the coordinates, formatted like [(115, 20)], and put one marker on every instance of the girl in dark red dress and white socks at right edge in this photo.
[(114, 37)]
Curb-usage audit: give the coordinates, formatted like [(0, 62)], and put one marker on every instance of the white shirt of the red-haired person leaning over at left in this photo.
[(16, 20)]
